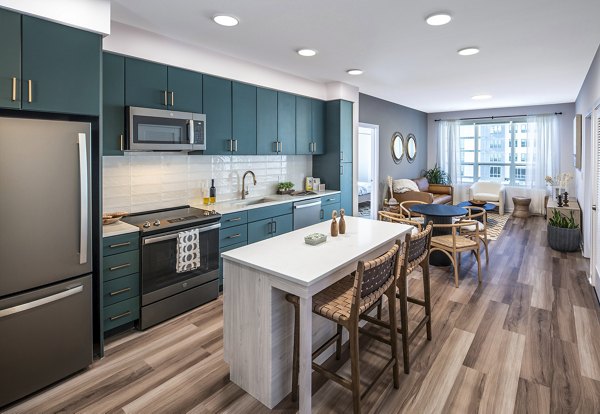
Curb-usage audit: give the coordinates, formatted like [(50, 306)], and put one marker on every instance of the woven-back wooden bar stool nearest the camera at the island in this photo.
[(344, 303)]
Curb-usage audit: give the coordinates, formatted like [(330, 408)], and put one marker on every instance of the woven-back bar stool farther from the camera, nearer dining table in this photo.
[(415, 254)]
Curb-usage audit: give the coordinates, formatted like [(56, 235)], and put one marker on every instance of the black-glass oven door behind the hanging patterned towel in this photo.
[(160, 278)]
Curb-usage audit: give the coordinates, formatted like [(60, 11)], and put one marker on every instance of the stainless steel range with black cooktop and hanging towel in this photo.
[(179, 261)]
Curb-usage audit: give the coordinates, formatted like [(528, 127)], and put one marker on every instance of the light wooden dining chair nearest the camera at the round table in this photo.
[(455, 243)]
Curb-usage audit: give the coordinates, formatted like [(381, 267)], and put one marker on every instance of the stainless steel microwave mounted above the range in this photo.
[(164, 130)]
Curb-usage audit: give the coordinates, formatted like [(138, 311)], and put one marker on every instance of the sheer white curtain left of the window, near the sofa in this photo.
[(448, 157)]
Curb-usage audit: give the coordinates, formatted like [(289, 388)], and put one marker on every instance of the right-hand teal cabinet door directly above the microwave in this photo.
[(184, 90)]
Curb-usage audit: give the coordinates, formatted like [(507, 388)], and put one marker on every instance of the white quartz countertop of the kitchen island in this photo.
[(288, 257)]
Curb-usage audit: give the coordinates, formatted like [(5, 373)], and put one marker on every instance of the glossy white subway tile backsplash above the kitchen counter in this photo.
[(142, 181)]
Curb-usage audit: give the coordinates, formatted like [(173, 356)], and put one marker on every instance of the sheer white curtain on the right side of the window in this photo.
[(542, 157)]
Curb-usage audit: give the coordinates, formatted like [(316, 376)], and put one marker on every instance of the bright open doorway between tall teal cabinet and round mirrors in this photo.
[(368, 169)]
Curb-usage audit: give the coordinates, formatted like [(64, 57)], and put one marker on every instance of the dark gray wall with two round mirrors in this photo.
[(392, 117)]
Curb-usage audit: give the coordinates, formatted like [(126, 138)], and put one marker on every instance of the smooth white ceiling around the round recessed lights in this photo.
[(532, 51)]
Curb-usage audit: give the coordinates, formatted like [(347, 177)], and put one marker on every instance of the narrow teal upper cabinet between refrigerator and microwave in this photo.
[(113, 103)]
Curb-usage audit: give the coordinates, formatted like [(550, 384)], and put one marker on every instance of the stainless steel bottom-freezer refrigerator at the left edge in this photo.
[(45, 253)]
